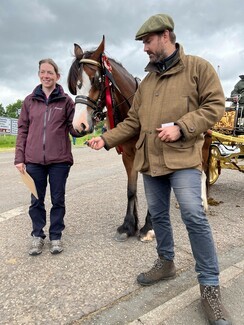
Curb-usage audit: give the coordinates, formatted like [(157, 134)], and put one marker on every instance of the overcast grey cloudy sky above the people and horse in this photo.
[(31, 30)]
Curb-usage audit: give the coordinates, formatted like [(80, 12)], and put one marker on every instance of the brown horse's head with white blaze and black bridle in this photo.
[(85, 81)]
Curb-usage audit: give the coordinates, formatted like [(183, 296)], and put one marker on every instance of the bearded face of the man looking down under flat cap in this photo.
[(154, 46)]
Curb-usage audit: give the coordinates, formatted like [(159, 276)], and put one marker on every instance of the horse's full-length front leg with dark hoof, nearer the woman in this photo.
[(130, 225)]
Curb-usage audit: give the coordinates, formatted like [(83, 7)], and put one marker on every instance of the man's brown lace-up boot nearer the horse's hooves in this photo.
[(161, 270)]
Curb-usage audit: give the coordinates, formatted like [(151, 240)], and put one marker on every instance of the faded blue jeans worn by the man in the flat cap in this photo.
[(187, 188)]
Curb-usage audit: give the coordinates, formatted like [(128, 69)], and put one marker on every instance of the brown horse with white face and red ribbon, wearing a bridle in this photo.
[(105, 89)]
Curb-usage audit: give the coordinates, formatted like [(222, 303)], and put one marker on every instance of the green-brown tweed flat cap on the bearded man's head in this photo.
[(155, 24)]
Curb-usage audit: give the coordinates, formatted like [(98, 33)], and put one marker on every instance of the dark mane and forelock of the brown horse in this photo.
[(74, 71)]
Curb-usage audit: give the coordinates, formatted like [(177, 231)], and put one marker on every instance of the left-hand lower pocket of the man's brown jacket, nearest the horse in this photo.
[(141, 162)]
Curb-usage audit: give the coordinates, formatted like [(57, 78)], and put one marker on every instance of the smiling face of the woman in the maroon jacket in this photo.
[(48, 76)]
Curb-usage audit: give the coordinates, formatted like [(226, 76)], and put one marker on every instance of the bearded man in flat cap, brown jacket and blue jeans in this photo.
[(179, 99)]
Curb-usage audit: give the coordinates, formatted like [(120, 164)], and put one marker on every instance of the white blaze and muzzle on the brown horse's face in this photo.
[(82, 120)]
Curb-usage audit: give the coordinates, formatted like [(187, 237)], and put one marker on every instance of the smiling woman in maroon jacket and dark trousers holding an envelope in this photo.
[(43, 148)]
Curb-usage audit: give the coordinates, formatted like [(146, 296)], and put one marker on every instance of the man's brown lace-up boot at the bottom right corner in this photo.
[(212, 305)]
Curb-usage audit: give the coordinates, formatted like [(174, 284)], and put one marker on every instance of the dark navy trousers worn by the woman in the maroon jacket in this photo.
[(57, 175)]
